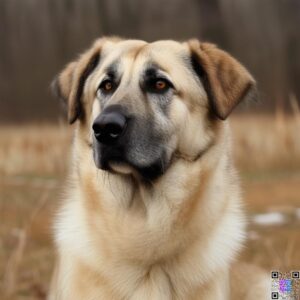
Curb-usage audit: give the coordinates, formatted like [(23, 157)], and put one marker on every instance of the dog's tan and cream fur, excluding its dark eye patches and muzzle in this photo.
[(176, 239)]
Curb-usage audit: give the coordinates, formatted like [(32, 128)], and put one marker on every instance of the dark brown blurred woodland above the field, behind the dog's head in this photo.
[(39, 36)]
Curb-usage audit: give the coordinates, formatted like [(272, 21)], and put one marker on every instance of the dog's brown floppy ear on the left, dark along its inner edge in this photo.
[(69, 84)]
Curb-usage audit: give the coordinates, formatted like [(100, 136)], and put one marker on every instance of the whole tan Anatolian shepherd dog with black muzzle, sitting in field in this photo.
[(152, 209)]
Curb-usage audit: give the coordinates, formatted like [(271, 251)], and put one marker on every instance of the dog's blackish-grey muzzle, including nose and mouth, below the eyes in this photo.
[(121, 143)]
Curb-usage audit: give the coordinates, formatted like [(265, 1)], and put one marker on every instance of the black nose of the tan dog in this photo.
[(109, 126)]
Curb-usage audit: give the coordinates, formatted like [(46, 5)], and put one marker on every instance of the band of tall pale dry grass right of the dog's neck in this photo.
[(267, 143)]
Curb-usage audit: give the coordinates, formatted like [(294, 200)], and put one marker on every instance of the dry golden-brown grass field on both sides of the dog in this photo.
[(33, 163)]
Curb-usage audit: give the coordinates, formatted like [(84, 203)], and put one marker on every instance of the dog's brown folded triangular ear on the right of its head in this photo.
[(225, 80)]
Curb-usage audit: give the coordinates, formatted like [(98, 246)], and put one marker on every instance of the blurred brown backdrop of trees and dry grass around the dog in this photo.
[(38, 37)]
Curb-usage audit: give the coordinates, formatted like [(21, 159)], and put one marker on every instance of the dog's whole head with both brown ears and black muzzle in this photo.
[(141, 104)]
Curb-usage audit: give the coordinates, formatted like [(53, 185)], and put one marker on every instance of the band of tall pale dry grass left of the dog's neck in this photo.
[(34, 149)]
